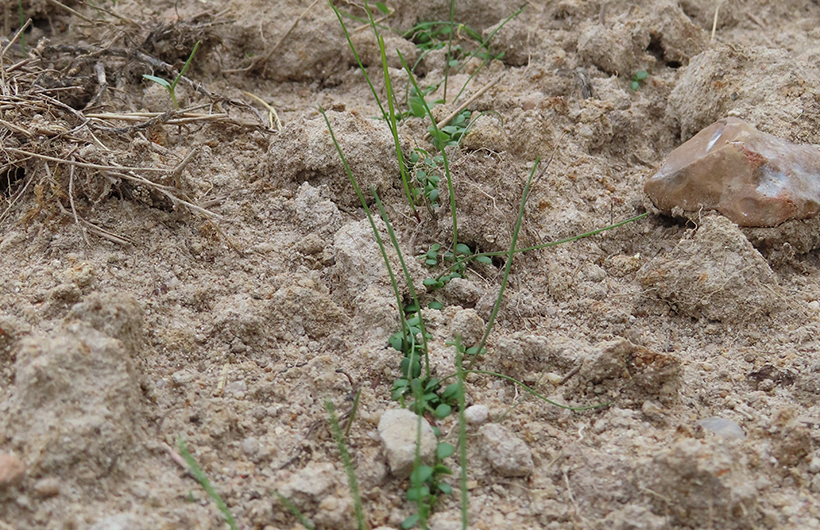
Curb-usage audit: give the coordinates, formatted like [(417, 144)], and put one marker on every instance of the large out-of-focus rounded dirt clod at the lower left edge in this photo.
[(76, 403)]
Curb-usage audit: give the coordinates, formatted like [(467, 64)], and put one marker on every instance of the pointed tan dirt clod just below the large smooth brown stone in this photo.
[(714, 274)]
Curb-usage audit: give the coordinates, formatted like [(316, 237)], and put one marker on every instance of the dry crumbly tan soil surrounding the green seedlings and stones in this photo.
[(210, 276)]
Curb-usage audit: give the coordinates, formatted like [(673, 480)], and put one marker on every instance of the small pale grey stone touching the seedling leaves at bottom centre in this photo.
[(398, 429)]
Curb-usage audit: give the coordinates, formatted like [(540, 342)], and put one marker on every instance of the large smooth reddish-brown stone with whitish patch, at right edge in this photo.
[(753, 178)]
